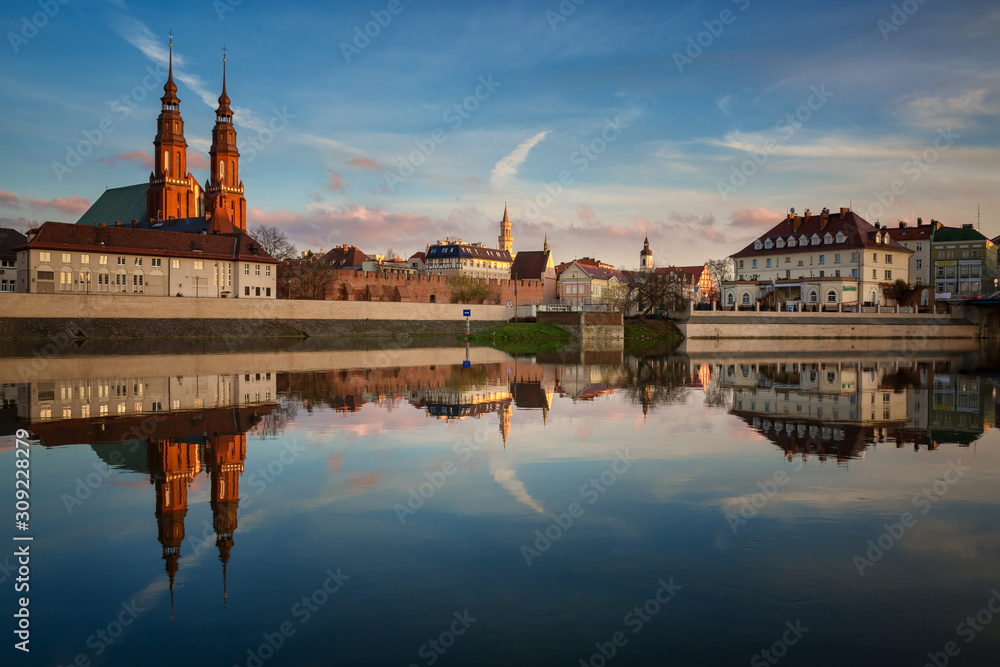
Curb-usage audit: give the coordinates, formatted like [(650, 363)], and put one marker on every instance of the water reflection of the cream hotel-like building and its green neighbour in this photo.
[(839, 408)]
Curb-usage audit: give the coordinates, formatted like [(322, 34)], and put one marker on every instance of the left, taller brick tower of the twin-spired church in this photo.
[(173, 191)]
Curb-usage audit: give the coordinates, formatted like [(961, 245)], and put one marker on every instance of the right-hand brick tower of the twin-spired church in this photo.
[(224, 189)]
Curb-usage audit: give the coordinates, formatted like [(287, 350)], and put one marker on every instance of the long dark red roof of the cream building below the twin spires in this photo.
[(63, 236)]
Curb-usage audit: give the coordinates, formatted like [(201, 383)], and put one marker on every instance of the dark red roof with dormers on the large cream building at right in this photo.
[(858, 233)]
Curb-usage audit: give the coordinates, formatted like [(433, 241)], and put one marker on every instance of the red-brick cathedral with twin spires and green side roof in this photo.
[(173, 198)]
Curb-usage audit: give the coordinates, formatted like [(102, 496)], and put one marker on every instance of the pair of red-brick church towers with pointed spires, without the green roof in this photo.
[(173, 191)]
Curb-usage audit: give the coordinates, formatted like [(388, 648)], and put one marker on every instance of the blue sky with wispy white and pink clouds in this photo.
[(396, 123)]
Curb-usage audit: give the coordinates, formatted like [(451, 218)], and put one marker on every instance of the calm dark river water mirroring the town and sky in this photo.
[(329, 507)]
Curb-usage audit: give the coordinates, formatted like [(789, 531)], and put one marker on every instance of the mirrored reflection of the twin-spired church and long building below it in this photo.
[(187, 424)]
